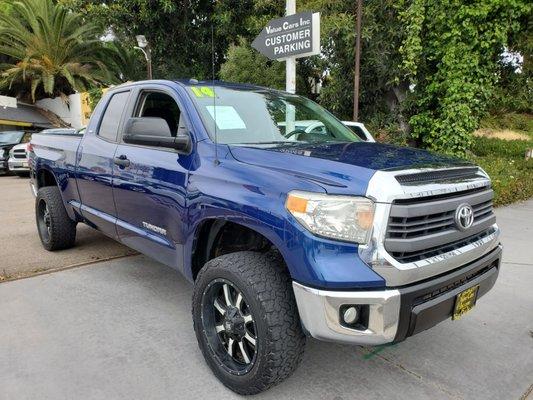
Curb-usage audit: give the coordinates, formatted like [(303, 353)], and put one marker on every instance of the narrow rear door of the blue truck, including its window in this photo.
[(95, 164)]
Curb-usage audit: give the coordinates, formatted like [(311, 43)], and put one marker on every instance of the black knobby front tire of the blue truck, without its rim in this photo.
[(264, 282)]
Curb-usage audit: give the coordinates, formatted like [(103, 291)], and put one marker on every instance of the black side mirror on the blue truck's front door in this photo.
[(154, 131)]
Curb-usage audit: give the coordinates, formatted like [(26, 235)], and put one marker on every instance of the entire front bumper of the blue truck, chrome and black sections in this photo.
[(396, 313)]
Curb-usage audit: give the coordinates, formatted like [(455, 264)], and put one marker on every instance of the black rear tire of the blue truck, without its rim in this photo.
[(62, 230)]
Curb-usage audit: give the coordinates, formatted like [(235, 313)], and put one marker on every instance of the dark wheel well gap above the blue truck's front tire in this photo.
[(218, 237)]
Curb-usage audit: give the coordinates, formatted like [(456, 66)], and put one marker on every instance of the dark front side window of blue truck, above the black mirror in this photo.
[(160, 105)]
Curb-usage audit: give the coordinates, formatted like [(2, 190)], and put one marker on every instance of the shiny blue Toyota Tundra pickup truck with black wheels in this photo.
[(284, 232)]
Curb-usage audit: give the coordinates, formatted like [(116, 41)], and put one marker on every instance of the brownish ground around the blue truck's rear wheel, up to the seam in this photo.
[(22, 253)]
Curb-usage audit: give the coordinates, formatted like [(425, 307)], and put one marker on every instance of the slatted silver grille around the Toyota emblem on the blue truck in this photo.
[(425, 227)]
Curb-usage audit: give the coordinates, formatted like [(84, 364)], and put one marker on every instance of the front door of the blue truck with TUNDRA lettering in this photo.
[(150, 188)]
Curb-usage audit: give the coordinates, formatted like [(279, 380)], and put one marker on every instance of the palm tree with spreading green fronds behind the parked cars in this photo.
[(53, 51)]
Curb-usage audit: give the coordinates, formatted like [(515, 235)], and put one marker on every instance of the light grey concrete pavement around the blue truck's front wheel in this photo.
[(122, 330)]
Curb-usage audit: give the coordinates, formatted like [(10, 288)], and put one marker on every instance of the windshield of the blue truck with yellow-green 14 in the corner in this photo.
[(264, 117)]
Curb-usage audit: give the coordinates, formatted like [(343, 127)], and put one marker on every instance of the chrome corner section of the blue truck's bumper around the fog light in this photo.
[(319, 313)]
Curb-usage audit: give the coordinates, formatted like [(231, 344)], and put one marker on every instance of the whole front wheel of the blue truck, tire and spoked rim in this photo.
[(246, 321)]
